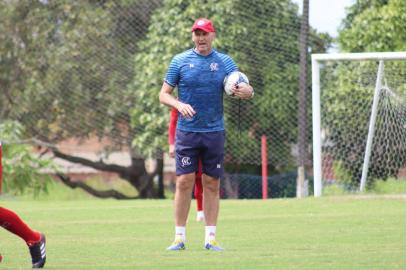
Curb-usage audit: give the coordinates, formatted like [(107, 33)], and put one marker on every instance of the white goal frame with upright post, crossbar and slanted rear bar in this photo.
[(320, 61)]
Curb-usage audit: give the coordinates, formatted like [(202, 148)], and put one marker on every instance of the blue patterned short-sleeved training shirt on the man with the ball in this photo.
[(200, 83)]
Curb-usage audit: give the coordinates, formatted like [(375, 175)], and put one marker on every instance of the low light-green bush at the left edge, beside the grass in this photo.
[(21, 168)]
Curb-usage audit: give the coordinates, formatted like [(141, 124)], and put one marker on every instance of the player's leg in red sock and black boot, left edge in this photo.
[(34, 240)]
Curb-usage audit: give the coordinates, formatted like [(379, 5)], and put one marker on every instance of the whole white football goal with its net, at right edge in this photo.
[(359, 119)]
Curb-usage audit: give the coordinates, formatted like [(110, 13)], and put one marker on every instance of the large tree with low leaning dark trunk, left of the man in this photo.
[(65, 57)]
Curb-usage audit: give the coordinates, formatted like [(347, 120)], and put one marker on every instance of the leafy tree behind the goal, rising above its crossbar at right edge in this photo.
[(370, 26)]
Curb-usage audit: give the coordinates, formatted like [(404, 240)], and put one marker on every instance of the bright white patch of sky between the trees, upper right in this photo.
[(326, 15)]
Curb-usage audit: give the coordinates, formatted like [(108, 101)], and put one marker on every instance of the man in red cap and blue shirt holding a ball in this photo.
[(199, 74)]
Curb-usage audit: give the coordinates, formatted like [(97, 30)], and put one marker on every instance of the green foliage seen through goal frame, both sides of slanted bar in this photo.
[(347, 97)]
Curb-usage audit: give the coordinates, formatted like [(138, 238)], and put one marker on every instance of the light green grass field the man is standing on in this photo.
[(346, 232)]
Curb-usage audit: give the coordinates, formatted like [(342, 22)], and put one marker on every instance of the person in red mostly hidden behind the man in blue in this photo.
[(198, 190)]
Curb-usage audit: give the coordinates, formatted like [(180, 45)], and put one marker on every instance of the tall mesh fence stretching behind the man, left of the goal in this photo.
[(83, 78)]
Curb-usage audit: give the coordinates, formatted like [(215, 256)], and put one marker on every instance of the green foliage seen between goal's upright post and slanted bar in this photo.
[(339, 124)]
